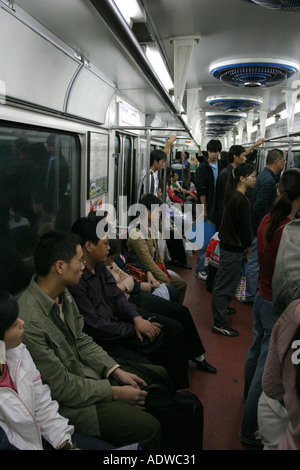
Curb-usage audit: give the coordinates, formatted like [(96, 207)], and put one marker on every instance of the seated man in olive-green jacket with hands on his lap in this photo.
[(93, 391)]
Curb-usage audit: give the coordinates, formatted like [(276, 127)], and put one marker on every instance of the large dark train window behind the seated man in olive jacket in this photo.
[(39, 192)]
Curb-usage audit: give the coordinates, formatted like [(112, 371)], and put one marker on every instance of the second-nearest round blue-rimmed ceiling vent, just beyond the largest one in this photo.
[(233, 104)]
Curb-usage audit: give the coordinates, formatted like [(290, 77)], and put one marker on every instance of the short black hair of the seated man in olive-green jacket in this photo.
[(52, 247)]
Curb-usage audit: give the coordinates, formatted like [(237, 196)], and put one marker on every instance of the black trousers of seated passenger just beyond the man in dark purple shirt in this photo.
[(174, 311)]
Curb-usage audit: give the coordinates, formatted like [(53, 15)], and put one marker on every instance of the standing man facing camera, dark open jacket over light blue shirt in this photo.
[(205, 181)]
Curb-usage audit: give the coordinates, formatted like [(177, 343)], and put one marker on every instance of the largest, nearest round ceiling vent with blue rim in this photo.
[(252, 73)]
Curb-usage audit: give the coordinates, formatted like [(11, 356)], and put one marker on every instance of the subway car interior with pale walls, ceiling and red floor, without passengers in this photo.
[(102, 83)]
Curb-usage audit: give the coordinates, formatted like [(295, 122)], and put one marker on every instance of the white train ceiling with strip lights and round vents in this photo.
[(221, 32)]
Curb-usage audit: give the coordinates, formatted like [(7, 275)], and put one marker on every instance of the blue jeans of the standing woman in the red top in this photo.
[(264, 319)]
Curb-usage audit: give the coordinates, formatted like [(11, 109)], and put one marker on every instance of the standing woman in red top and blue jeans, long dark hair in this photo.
[(264, 317)]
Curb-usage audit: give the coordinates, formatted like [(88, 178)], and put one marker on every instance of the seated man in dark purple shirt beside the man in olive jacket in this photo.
[(113, 321)]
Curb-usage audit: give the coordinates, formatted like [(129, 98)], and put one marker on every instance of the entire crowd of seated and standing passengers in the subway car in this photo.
[(96, 306)]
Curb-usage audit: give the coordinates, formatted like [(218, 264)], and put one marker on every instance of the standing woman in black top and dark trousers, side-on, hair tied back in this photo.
[(235, 242)]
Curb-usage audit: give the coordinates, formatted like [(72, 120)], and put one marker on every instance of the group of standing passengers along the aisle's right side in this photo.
[(250, 213)]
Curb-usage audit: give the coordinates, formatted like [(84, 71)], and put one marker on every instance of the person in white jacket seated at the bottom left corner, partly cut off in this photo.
[(28, 415)]
